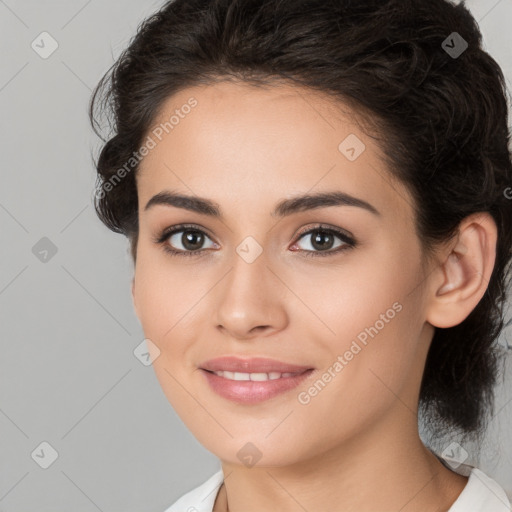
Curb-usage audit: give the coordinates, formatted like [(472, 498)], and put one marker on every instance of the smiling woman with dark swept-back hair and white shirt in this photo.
[(315, 194)]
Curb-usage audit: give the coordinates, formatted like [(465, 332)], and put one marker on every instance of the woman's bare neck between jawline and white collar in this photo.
[(385, 468)]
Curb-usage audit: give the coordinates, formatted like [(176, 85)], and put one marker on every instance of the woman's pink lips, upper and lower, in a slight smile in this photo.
[(251, 392)]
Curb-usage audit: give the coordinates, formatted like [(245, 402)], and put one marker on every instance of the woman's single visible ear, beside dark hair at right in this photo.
[(466, 266)]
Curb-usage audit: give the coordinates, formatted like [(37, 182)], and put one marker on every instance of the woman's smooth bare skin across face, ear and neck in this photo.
[(355, 446)]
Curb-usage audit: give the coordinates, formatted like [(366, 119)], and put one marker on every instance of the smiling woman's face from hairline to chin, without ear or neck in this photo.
[(263, 283)]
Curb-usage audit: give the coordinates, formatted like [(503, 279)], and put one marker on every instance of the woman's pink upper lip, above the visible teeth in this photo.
[(252, 365)]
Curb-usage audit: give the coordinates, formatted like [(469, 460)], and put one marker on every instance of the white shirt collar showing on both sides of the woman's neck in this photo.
[(480, 494)]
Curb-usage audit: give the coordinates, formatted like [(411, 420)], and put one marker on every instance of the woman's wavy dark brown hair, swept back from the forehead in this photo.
[(439, 106)]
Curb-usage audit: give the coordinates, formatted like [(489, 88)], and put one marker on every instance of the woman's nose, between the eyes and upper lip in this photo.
[(251, 300)]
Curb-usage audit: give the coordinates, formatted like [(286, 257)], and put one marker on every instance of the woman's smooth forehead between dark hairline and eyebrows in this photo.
[(244, 144)]
